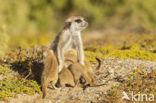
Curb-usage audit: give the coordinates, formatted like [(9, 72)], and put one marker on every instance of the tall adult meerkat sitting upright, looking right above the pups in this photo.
[(69, 37)]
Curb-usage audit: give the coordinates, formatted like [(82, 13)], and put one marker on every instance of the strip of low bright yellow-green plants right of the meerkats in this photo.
[(135, 52)]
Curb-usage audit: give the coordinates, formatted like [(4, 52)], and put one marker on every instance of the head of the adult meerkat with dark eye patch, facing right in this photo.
[(76, 23)]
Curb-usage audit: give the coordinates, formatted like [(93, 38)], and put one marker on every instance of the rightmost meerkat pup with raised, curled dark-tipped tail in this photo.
[(78, 70)]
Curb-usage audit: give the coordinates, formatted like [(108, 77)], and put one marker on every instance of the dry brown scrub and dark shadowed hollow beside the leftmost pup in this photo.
[(27, 62)]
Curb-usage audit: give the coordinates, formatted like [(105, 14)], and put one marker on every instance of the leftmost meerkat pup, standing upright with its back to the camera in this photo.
[(50, 71)]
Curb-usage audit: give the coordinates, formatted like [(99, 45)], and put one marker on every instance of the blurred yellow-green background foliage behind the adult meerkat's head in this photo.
[(30, 22)]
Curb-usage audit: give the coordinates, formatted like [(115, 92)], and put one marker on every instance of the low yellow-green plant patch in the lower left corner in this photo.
[(10, 86)]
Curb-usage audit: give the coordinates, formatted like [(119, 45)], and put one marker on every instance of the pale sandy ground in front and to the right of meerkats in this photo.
[(113, 72)]
